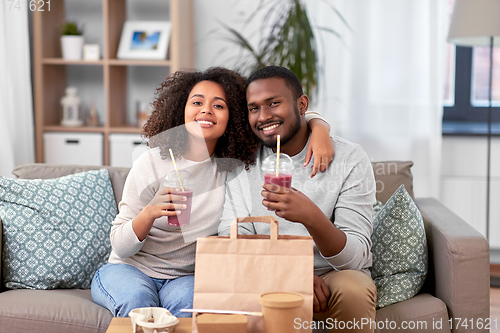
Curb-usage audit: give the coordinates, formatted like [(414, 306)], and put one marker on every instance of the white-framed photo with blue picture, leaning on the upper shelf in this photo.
[(144, 40)]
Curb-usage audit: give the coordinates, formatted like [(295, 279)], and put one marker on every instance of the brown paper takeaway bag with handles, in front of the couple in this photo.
[(232, 272)]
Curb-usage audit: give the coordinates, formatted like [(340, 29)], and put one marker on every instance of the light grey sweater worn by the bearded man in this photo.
[(345, 193)]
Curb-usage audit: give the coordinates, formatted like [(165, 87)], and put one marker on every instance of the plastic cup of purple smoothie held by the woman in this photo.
[(183, 182)]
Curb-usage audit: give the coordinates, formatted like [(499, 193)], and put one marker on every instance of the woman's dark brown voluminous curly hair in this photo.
[(164, 128)]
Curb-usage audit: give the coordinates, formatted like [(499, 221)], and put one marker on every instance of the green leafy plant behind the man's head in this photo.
[(288, 41)]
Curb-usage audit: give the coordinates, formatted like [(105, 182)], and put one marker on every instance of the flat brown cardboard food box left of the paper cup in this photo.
[(221, 323)]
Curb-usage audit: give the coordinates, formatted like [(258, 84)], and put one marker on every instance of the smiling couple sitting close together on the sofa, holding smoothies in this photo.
[(152, 263)]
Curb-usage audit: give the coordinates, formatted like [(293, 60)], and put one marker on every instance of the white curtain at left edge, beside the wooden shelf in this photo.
[(16, 109)]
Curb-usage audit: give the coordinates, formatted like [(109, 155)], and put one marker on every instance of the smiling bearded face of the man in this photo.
[(272, 110)]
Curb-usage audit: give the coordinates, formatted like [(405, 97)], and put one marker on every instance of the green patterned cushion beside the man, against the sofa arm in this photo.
[(399, 249)]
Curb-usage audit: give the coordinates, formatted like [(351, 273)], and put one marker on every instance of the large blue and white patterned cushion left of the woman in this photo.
[(56, 231)]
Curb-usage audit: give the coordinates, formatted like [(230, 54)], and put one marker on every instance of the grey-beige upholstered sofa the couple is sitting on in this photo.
[(457, 284)]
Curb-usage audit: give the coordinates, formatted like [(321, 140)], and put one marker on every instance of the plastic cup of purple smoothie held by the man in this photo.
[(278, 172)]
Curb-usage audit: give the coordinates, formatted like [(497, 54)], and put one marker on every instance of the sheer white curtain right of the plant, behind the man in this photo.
[(382, 81)]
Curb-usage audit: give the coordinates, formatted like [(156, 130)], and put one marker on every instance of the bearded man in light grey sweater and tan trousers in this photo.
[(334, 207)]
